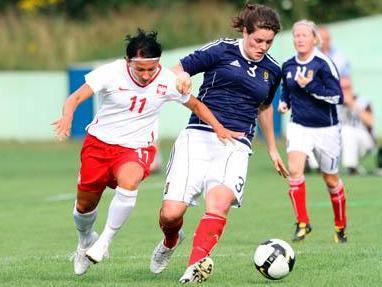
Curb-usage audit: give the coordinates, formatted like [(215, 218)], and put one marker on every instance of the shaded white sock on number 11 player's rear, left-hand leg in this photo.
[(84, 224)]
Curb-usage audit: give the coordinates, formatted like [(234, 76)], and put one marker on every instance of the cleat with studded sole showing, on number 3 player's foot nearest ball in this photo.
[(198, 272)]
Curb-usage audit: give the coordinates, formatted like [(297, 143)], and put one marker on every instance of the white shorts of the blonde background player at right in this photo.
[(325, 143)]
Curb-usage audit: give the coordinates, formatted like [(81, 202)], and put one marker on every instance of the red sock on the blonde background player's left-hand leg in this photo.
[(297, 196)]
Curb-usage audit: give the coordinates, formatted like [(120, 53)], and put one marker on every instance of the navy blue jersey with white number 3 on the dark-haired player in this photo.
[(234, 86)]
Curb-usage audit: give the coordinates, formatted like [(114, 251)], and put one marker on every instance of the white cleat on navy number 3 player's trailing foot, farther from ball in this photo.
[(162, 254)]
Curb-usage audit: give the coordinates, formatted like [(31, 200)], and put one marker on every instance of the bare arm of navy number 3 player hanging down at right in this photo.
[(266, 123)]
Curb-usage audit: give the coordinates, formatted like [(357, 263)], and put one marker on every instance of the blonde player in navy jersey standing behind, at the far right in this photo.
[(311, 89)]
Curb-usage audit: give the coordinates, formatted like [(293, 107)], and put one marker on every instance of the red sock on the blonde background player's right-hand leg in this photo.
[(337, 197)]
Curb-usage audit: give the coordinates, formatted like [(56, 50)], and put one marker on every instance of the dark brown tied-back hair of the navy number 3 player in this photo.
[(256, 16)]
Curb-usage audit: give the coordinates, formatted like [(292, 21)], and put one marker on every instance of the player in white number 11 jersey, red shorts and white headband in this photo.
[(118, 148)]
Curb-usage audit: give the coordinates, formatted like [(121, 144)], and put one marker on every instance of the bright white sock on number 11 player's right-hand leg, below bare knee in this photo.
[(120, 209)]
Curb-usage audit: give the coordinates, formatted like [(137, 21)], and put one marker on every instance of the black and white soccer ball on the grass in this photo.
[(274, 259)]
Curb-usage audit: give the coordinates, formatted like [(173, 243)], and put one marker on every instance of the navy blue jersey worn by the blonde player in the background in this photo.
[(315, 104)]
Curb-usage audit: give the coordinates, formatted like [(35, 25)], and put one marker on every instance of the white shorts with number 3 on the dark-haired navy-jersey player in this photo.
[(199, 162)]
